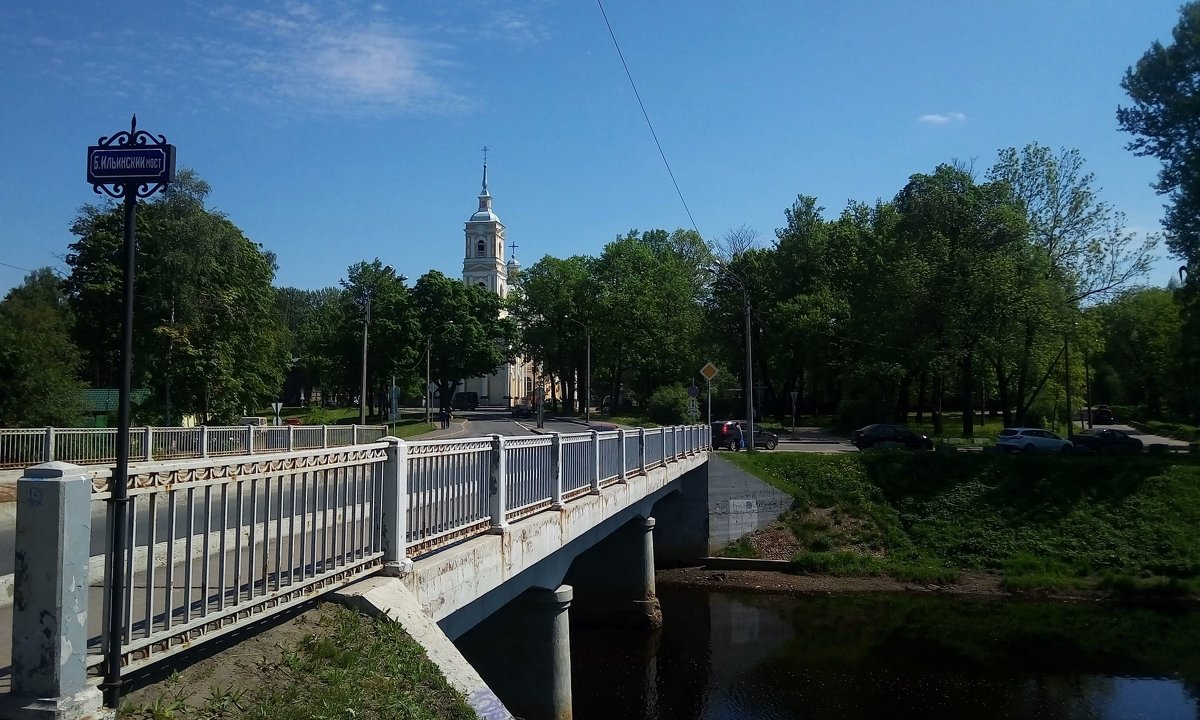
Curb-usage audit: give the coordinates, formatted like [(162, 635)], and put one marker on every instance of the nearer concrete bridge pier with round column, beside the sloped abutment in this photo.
[(524, 651)]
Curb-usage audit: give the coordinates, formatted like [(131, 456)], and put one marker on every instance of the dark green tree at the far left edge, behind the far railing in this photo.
[(39, 364)]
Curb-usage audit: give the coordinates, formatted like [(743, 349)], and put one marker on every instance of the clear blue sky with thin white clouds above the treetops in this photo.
[(340, 131)]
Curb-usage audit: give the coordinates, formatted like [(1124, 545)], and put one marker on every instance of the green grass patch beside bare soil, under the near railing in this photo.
[(357, 668)]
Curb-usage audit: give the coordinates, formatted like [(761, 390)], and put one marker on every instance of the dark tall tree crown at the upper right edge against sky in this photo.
[(1165, 88)]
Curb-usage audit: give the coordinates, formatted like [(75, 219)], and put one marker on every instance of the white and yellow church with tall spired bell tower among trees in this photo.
[(484, 266)]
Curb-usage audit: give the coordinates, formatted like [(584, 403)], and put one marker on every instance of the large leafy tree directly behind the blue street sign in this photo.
[(206, 337)]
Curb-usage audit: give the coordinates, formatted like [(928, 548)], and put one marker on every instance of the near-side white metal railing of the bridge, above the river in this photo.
[(214, 544)]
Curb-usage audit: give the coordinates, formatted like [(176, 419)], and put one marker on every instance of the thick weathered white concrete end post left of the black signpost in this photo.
[(50, 613)]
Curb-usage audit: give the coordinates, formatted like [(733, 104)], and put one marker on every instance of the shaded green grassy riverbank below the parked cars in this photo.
[(1114, 524)]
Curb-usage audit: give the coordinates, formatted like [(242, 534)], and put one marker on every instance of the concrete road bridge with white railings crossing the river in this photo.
[(455, 529)]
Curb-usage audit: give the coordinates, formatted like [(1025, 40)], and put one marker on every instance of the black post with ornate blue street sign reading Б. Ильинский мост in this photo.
[(129, 165)]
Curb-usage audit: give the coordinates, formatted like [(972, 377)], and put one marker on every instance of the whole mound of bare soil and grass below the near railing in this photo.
[(327, 663)]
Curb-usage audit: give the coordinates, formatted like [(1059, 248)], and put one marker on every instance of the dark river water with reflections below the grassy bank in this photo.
[(734, 657)]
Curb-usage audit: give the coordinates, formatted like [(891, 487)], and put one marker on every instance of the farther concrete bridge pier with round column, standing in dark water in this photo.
[(616, 579)]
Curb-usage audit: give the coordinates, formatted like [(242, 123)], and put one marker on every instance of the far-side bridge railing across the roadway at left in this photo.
[(98, 446)]
